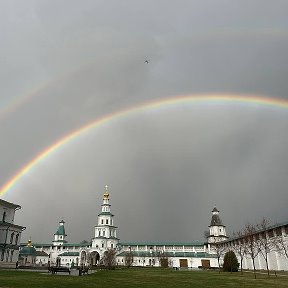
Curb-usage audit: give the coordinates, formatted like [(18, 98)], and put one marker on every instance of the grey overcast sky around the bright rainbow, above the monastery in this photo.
[(64, 64)]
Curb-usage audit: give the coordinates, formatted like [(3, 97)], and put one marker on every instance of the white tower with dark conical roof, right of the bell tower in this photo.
[(217, 231)]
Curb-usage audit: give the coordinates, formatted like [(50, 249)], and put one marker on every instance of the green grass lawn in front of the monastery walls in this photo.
[(139, 278)]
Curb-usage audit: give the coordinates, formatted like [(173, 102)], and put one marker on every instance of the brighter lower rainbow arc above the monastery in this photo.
[(153, 105)]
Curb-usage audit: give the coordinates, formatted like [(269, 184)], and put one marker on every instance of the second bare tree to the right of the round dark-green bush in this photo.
[(251, 246)]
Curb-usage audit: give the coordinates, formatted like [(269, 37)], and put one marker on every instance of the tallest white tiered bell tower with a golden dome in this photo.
[(105, 232)]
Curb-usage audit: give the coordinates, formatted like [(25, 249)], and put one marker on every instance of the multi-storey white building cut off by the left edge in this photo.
[(10, 234)]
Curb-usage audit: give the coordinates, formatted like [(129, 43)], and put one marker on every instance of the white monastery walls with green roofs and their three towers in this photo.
[(192, 255)]
